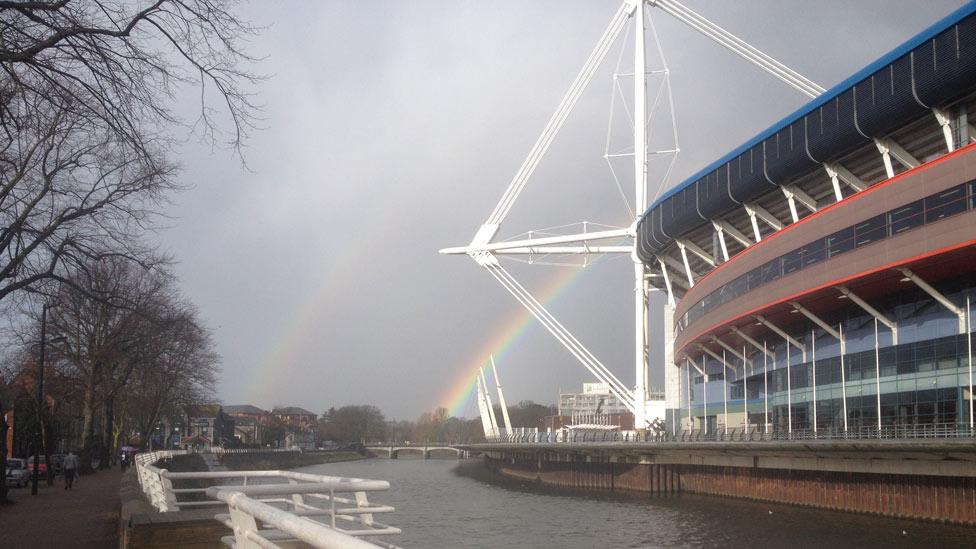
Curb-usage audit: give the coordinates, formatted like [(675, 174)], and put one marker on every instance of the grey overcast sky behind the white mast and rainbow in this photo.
[(392, 128)]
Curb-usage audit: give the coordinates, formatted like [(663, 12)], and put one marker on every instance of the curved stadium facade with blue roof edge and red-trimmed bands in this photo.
[(821, 275)]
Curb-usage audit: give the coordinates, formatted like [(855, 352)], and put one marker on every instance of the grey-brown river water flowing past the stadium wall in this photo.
[(438, 506)]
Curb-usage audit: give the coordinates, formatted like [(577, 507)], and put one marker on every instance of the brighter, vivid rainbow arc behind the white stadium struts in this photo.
[(459, 397)]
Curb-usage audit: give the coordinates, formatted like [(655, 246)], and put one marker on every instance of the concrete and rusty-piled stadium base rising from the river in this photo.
[(844, 483)]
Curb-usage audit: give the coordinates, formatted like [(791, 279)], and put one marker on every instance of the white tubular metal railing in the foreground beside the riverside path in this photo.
[(284, 502)]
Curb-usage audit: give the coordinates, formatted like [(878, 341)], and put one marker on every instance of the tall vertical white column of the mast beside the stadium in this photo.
[(640, 203)]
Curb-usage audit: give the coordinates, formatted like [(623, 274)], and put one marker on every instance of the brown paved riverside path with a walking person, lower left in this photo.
[(86, 517)]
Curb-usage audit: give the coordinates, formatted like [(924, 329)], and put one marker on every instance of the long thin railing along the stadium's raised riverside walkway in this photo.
[(750, 434)]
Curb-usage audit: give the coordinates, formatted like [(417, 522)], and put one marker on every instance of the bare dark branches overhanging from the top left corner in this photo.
[(121, 62)]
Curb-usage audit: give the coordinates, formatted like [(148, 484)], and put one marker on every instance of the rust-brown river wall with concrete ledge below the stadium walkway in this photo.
[(928, 481)]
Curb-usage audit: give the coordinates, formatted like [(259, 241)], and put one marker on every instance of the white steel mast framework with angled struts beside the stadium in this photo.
[(484, 250)]
